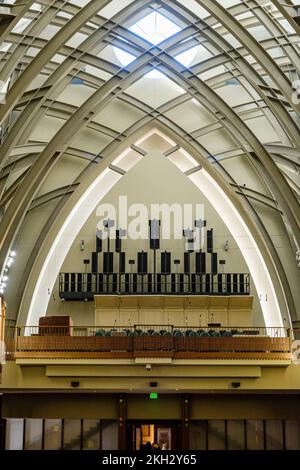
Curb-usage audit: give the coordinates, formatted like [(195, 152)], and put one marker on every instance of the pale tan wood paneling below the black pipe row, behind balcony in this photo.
[(174, 310)]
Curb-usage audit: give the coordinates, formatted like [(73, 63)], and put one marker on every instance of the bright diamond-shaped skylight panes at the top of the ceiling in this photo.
[(154, 28)]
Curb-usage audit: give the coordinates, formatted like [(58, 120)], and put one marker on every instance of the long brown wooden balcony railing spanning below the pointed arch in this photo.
[(149, 341)]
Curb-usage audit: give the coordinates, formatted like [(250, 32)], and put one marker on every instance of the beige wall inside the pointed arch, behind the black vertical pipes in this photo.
[(154, 180)]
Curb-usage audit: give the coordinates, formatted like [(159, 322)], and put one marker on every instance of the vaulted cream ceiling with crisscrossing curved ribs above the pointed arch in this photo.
[(67, 95)]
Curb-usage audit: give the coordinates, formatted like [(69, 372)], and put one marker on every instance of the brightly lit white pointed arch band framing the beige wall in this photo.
[(95, 186)]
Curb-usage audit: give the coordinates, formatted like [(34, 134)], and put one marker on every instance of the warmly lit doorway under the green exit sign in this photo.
[(147, 435)]
